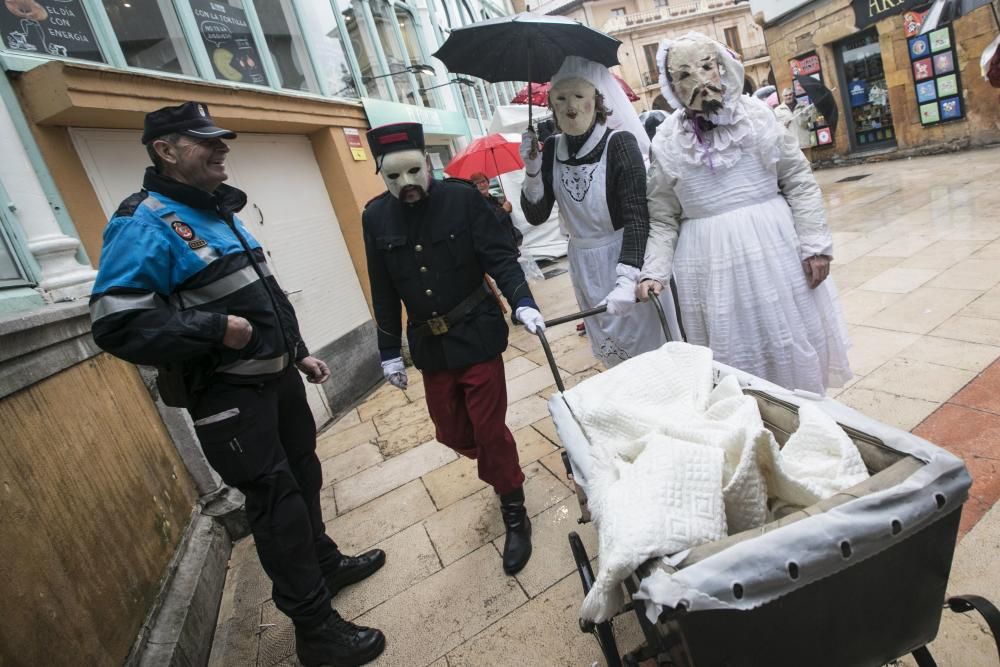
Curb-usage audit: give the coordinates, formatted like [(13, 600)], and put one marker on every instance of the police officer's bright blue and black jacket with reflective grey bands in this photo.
[(172, 268)]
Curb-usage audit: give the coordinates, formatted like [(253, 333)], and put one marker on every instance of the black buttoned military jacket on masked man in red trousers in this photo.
[(431, 256)]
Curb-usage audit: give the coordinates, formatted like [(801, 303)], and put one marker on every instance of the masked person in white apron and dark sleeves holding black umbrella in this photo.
[(595, 169)]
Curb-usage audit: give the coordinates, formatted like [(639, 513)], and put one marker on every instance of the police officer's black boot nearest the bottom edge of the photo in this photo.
[(338, 643)]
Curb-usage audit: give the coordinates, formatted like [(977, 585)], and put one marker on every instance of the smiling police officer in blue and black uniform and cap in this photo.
[(183, 286)]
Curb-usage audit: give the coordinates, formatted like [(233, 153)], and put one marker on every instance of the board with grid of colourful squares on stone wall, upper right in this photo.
[(935, 76)]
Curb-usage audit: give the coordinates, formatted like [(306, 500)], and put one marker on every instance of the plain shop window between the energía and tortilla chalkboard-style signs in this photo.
[(150, 35)]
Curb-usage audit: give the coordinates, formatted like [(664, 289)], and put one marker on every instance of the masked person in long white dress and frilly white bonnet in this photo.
[(737, 218)]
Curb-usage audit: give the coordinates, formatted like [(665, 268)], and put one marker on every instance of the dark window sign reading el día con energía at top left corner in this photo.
[(55, 28)]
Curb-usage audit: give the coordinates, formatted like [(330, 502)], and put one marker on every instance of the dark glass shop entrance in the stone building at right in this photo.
[(865, 91)]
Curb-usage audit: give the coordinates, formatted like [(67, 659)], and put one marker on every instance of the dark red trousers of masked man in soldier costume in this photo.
[(468, 407)]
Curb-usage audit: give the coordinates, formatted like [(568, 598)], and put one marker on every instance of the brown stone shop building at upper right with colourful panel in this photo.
[(896, 91)]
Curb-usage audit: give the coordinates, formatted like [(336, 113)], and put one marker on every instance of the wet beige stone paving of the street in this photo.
[(917, 246)]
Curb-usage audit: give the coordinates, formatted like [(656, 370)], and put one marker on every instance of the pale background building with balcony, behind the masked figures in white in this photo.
[(641, 24)]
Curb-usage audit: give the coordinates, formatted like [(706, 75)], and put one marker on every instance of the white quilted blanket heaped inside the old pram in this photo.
[(677, 463)]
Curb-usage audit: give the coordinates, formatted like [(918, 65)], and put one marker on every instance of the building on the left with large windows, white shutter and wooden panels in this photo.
[(102, 478)]
